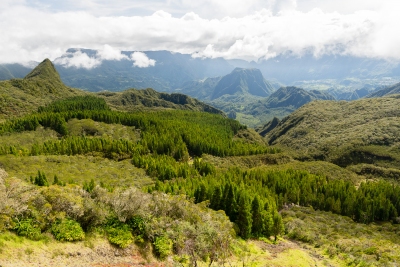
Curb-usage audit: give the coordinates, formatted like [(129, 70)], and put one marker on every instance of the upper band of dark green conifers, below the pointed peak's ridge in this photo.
[(174, 133)]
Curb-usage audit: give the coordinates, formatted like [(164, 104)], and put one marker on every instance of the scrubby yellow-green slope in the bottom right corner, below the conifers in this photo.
[(346, 242)]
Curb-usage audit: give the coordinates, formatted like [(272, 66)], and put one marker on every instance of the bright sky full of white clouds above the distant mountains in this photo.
[(251, 30)]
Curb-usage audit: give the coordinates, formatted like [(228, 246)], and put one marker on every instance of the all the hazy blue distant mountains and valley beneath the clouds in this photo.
[(236, 87)]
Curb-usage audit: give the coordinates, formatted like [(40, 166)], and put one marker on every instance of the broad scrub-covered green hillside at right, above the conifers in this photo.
[(345, 133)]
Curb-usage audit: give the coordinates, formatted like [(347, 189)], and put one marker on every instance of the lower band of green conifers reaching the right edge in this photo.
[(252, 198)]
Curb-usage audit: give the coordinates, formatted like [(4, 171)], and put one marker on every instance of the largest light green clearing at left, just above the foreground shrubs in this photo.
[(77, 169)]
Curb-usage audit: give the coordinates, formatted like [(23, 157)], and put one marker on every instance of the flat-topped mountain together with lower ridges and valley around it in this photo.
[(246, 95)]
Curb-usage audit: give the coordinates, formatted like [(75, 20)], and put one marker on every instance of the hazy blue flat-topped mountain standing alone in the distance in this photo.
[(243, 81)]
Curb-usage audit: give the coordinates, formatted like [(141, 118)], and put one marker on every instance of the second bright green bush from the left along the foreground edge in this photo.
[(67, 230)]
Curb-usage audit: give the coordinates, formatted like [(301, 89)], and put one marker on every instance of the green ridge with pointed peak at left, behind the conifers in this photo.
[(43, 85)]
